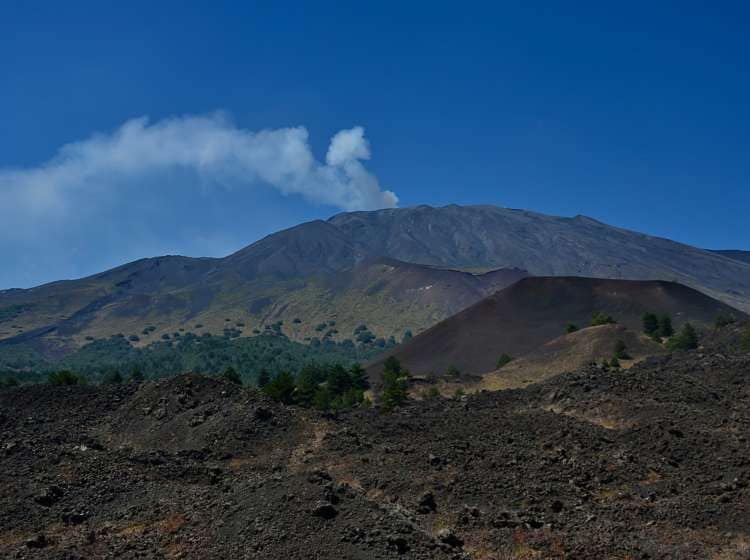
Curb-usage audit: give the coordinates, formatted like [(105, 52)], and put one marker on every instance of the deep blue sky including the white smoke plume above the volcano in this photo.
[(636, 114)]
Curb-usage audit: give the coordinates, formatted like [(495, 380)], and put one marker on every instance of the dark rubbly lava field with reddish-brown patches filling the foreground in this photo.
[(653, 462)]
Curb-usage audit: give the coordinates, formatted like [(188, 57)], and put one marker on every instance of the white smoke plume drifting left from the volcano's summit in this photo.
[(209, 148)]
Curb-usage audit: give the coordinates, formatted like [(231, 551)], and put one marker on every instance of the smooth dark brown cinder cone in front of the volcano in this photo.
[(536, 310)]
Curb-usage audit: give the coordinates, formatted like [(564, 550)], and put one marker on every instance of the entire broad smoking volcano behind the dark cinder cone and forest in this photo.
[(390, 270)]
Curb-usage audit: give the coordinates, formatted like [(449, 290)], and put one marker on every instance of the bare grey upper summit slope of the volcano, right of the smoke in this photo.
[(492, 237)]
